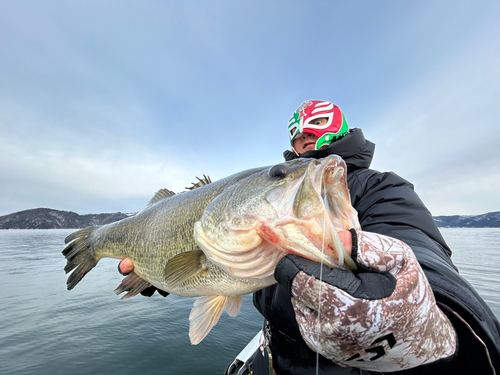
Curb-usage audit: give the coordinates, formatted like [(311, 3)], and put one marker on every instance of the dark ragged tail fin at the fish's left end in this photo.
[(79, 256)]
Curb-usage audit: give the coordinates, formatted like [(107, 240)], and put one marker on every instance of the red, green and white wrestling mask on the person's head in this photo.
[(303, 121)]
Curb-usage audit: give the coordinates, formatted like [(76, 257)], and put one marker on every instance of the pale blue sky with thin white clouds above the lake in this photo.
[(102, 103)]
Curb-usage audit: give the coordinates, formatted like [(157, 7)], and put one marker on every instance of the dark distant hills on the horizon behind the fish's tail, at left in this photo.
[(46, 218)]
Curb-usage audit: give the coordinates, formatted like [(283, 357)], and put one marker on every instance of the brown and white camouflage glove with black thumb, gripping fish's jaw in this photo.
[(383, 318)]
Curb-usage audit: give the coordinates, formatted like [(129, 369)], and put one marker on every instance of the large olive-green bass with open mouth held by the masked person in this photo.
[(221, 240)]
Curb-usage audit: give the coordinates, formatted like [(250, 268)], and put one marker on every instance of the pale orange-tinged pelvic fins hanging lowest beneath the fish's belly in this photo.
[(206, 313)]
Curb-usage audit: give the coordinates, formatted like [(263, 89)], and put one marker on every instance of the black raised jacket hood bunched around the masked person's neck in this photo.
[(354, 148)]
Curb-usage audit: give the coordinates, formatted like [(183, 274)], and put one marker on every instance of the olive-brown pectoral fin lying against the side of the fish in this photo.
[(182, 266)]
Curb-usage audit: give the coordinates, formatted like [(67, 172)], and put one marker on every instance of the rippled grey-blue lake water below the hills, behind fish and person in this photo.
[(45, 329)]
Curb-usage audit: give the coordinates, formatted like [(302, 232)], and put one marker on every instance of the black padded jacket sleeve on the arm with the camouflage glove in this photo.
[(387, 204)]
